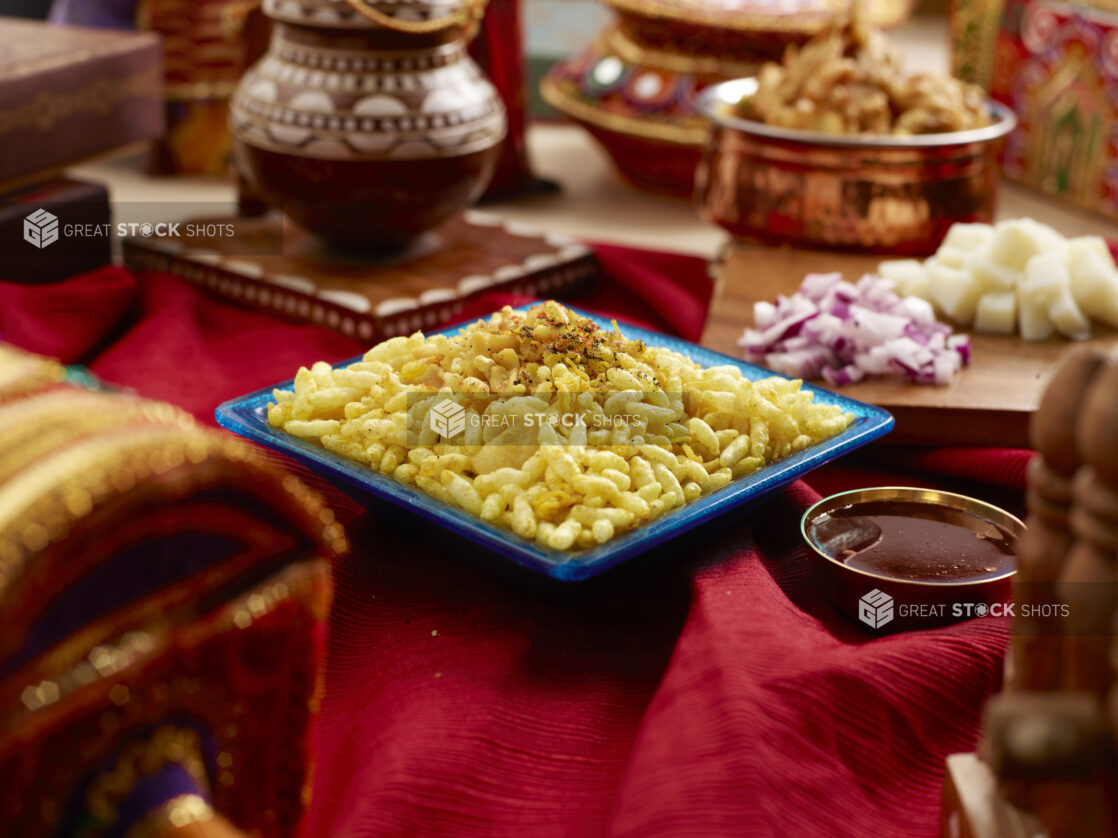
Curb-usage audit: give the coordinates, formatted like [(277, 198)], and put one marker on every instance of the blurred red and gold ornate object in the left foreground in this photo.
[(163, 591)]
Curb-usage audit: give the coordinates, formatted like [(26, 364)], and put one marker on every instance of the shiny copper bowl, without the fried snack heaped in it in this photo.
[(895, 195)]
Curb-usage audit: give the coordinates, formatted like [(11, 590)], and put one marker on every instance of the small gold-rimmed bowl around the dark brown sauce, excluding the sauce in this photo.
[(897, 604)]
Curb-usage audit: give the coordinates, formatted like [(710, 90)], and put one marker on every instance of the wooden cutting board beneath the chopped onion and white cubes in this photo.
[(988, 404)]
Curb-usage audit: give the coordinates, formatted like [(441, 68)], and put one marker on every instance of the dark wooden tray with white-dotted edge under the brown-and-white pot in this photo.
[(276, 266)]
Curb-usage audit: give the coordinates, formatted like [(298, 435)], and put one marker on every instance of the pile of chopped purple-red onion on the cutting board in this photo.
[(845, 332)]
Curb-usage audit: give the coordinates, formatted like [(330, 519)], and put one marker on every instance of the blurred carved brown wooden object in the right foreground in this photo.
[(1050, 751)]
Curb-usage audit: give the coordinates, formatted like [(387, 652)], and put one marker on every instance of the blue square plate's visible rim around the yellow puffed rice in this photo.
[(248, 416)]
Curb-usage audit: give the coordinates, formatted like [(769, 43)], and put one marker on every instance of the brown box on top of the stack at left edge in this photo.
[(70, 93)]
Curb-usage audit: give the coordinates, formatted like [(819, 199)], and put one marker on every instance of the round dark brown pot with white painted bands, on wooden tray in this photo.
[(369, 126)]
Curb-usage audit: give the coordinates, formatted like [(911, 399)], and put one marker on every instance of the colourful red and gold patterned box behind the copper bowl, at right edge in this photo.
[(1057, 66)]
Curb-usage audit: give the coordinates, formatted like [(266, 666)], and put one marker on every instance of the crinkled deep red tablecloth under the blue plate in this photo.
[(715, 694)]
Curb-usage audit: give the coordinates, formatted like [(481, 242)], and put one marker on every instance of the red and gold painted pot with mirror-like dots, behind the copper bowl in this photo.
[(634, 88)]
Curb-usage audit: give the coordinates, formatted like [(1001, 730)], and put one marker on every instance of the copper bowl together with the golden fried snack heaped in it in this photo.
[(837, 148)]
